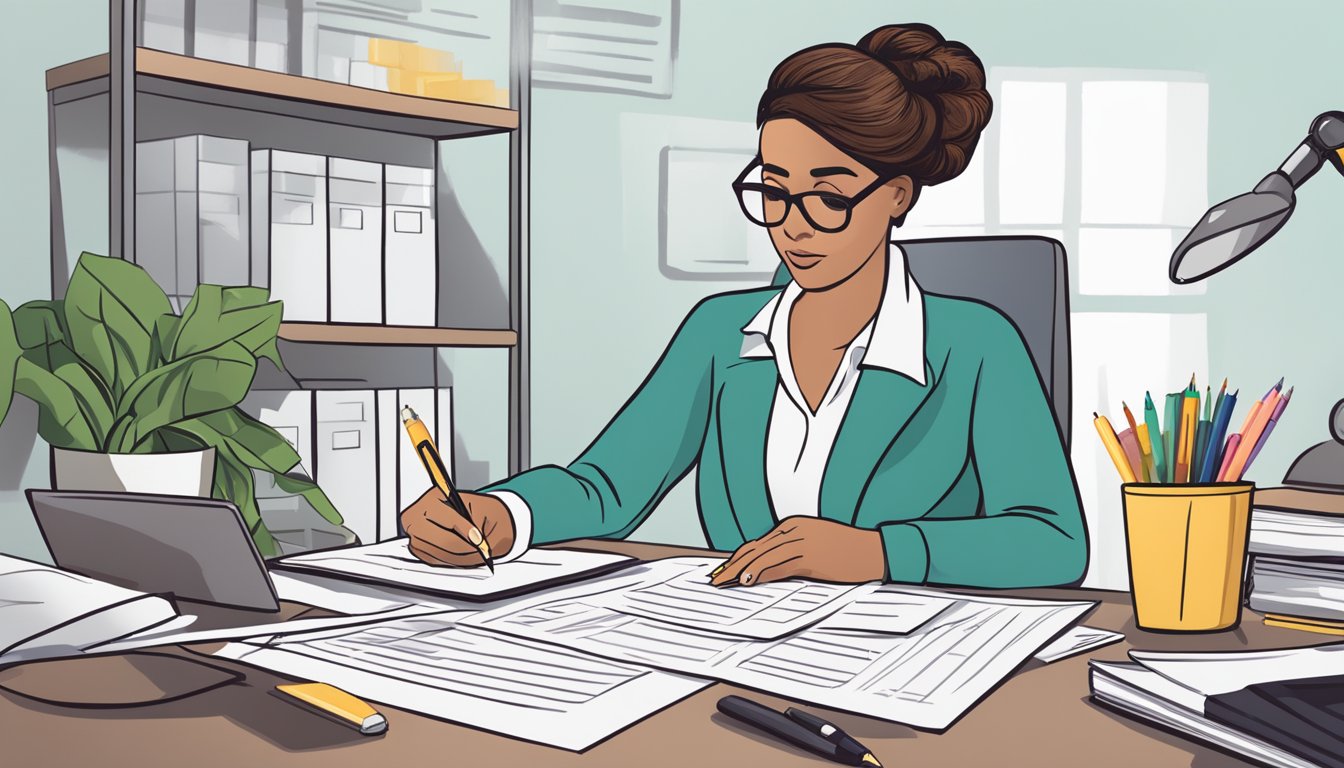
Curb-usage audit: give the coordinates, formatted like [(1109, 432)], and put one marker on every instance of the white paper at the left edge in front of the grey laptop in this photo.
[(50, 613)]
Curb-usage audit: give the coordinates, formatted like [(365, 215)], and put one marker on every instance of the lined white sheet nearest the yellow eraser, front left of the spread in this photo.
[(483, 680)]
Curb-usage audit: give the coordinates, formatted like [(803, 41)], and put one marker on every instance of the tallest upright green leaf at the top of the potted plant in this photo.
[(111, 309)]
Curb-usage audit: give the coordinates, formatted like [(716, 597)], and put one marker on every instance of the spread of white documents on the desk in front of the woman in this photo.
[(569, 664)]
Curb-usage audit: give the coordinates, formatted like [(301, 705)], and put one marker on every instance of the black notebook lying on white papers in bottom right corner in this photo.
[(1304, 716)]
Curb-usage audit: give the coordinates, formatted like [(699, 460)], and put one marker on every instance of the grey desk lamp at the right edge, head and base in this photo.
[(1234, 228)]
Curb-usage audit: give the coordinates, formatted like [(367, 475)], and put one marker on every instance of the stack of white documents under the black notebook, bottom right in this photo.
[(1257, 704)]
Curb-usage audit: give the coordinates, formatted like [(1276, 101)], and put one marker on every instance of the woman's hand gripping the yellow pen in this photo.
[(439, 536)]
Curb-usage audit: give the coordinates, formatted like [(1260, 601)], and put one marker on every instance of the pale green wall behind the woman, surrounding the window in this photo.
[(603, 313)]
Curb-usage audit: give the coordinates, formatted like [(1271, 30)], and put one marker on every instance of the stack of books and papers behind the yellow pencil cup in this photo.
[(1298, 560)]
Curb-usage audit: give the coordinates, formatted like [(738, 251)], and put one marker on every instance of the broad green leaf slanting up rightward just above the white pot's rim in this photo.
[(183, 389)]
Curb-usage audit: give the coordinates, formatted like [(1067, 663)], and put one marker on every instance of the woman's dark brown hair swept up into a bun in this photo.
[(904, 102)]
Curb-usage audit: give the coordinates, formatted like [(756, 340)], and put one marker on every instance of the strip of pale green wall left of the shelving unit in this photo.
[(42, 36)]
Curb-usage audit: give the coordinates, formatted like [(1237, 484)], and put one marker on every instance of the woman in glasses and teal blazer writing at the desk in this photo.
[(846, 427)]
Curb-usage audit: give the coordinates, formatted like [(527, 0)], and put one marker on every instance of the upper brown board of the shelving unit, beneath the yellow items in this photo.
[(204, 81)]
